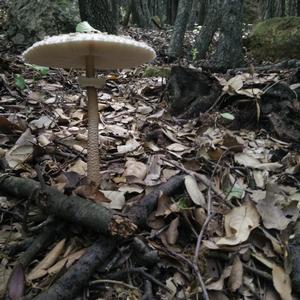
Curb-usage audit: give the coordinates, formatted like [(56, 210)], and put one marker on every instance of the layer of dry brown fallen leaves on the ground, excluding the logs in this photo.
[(252, 191)]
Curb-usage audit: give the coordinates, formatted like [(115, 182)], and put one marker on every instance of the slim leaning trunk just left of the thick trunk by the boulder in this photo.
[(210, 26)]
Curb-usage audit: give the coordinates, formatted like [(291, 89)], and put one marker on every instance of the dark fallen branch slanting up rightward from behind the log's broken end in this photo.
[(140, 211)]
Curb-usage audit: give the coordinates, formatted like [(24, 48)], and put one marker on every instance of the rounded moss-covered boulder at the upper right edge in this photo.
[(276, 38)]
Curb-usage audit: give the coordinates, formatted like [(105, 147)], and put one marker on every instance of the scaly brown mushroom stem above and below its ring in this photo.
[(93, 125)]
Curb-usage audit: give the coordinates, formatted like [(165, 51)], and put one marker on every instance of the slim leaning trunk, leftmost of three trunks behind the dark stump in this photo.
[(176, 43)]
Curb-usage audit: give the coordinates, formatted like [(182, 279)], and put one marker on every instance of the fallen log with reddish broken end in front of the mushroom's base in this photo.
[(70, 208)]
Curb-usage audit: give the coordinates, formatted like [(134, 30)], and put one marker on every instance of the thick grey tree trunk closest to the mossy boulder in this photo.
[(229, 53)]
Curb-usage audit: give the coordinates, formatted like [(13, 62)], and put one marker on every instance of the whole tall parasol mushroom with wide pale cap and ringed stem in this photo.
[(90, 51)]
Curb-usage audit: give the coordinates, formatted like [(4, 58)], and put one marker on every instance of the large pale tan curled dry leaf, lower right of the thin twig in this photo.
[(239, 222)]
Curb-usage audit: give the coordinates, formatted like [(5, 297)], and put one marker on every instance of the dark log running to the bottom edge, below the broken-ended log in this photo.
[(77, 277)]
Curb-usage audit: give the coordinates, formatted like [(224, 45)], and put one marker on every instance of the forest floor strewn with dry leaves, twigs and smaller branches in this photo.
[(225, 200)]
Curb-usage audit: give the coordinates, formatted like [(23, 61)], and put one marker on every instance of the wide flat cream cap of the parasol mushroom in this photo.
[(70, 51)]
